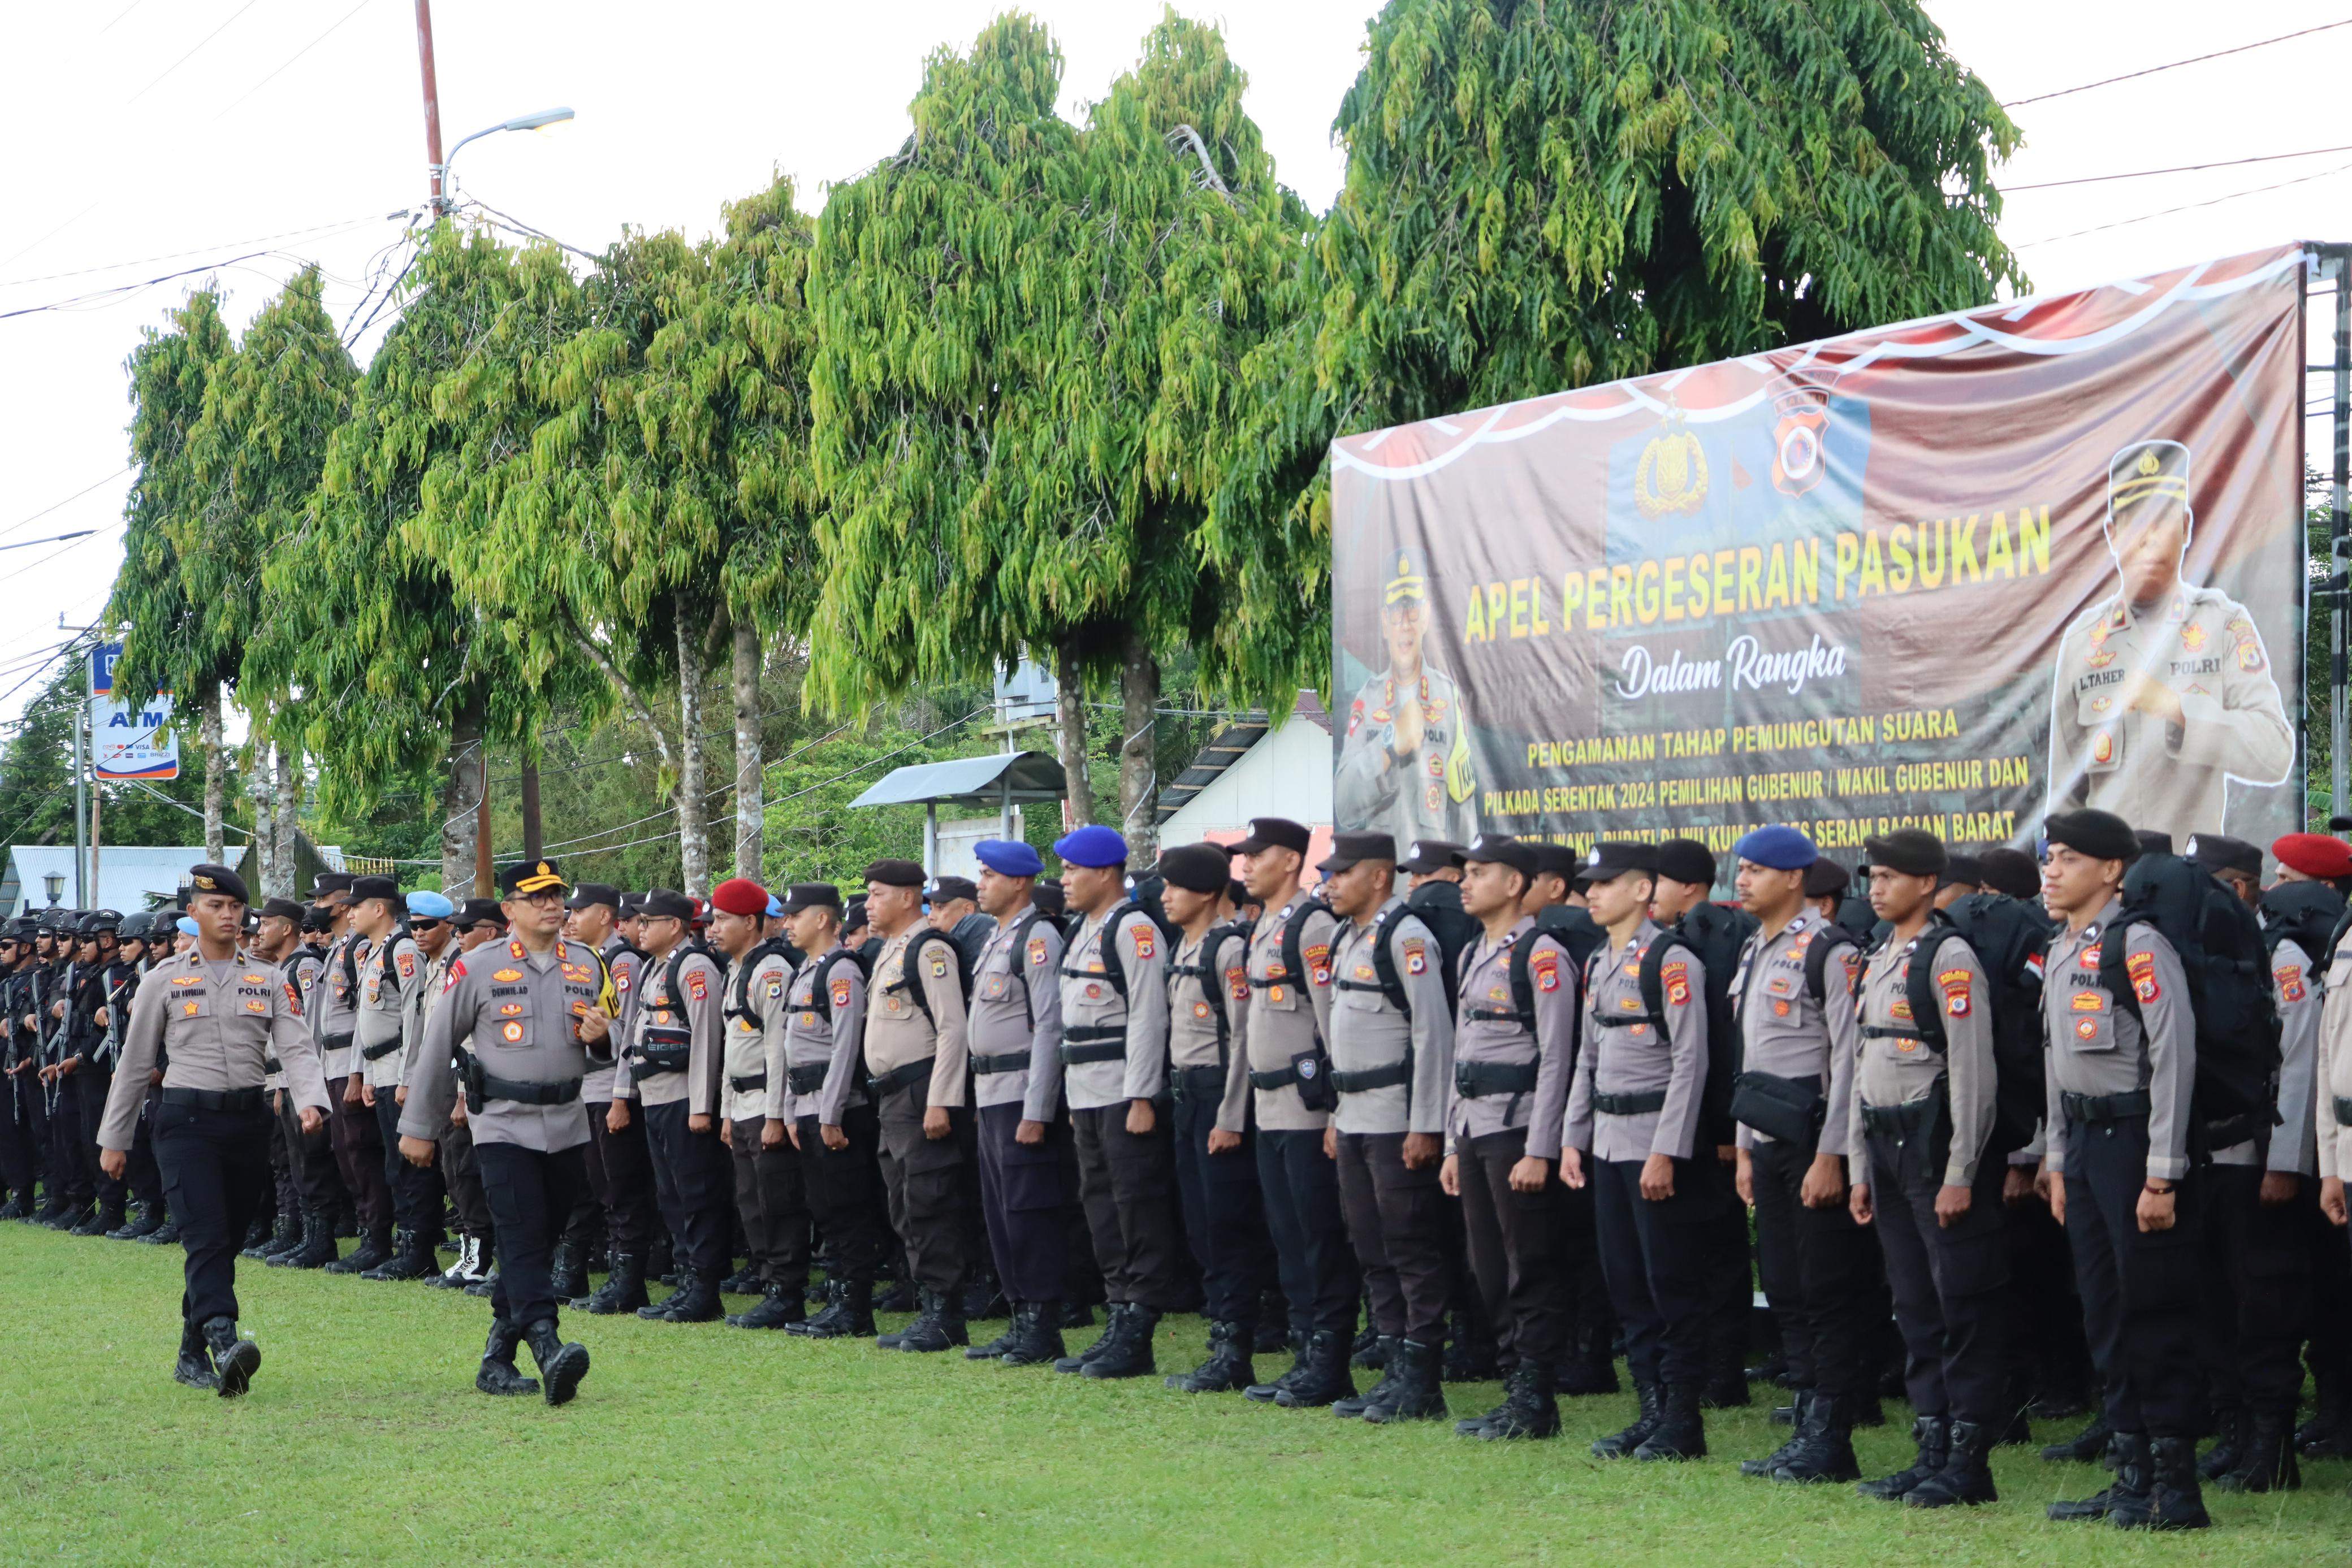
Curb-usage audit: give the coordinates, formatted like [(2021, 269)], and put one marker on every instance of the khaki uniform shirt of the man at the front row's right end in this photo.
[(2102, 1050)]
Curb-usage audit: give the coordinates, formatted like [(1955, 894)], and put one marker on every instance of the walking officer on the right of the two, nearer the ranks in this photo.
[(533, 1010)]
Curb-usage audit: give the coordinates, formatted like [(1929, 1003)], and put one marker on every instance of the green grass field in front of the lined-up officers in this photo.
[(700, 1445)]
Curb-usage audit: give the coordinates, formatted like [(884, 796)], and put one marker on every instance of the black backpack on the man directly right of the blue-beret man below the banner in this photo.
[(2012, 944)]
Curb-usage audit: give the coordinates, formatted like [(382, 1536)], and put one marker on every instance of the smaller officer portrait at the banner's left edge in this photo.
[(1405, 763)]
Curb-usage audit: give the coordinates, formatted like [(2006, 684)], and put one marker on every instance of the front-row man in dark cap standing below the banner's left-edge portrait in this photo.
[(1391, 1064)]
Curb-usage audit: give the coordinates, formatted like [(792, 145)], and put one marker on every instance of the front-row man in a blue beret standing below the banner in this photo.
[(1793, 1106)]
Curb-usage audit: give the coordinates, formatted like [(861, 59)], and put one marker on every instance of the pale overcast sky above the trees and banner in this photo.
[(248, 138)]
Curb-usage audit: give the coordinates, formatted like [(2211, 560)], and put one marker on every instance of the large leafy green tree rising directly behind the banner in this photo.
[(1544, 196)]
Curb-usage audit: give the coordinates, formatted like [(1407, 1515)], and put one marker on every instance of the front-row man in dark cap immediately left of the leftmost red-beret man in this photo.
[(674, 1068)]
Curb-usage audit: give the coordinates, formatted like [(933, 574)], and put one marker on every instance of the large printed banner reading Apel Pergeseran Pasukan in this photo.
[(1946, 575)]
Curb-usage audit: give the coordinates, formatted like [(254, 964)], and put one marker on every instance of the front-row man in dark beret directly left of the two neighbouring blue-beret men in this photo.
[(918, 1057)]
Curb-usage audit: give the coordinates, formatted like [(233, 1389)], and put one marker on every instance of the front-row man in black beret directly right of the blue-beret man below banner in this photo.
[(1923, 1111)]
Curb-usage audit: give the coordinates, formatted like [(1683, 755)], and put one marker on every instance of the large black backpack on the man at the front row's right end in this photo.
[(2238, 1014)]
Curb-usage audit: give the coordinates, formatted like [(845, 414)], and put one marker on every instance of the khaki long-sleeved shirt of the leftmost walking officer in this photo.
[(220, 1024)]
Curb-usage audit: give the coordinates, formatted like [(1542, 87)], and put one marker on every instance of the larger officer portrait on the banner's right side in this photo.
[(2163, 690)]
